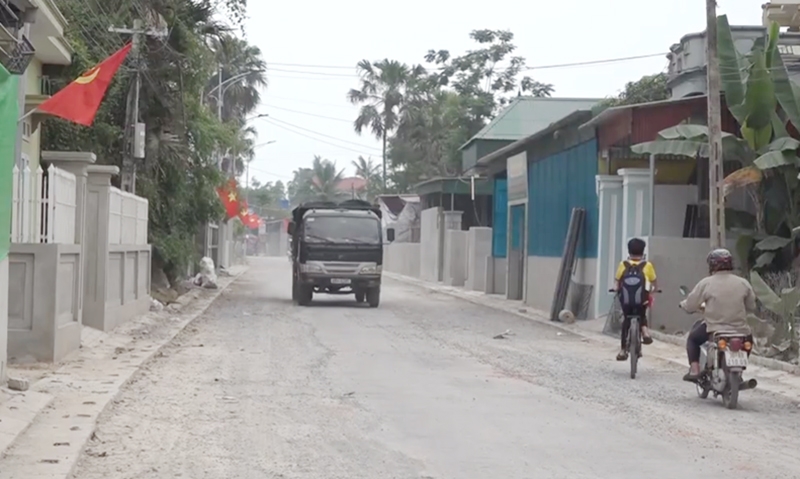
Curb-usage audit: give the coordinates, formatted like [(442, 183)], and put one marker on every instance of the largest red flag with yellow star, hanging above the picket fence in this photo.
[(79, 101)]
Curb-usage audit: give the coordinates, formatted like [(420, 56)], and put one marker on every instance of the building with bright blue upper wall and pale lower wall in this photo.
[(561, 166)]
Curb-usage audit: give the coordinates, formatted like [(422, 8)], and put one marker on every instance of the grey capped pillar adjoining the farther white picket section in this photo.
[(95, 261)]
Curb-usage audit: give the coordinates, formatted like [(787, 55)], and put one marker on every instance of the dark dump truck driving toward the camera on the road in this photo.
[(337, 248)]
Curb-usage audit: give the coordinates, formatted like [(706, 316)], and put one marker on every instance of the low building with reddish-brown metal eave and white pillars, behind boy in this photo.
[(661, 199)]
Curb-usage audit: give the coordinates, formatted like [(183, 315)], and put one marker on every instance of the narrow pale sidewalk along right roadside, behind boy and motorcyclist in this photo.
[(773, 376)]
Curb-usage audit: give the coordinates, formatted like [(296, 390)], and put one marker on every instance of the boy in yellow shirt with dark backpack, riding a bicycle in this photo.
[(636, 278)]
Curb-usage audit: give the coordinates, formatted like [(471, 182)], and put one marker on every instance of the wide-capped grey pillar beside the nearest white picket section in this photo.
[(77, 163)]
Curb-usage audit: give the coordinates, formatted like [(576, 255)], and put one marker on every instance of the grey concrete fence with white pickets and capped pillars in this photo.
[(87, 265)]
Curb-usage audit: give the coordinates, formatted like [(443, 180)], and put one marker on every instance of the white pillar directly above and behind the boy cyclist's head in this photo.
[(635, 205)]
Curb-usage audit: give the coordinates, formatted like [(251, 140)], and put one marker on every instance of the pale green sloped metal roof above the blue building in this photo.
[(527, 115)]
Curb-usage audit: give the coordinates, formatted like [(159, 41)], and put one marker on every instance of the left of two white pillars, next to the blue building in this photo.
[(609, 199)]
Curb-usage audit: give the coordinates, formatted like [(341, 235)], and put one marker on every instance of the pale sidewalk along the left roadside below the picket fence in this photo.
[(43, 430)]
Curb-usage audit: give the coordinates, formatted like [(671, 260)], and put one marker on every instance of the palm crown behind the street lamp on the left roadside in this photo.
[(235, 57)]
